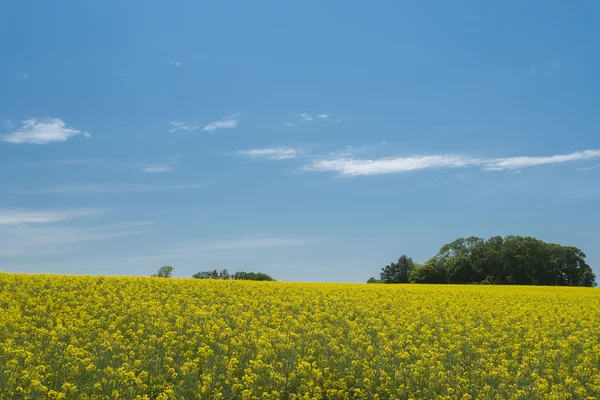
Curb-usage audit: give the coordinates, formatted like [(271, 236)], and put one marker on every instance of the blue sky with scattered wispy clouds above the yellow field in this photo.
[(311, 140)]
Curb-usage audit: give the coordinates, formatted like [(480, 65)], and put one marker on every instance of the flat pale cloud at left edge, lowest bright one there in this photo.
[(20, 216)]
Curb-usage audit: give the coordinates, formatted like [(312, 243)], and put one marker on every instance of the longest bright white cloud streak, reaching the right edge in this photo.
[(350, 166)]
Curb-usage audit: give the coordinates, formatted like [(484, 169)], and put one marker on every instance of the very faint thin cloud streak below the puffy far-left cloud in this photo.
[(100, 188)]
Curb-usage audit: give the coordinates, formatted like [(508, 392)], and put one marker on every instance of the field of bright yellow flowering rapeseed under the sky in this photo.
[(152, 338)]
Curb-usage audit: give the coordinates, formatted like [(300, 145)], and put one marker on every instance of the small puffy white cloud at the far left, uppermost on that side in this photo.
[(42, 131)]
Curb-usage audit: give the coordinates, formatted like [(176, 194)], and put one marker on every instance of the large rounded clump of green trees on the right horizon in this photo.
[(512, 260)]
